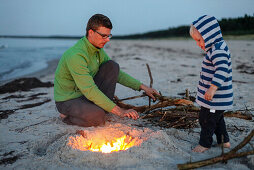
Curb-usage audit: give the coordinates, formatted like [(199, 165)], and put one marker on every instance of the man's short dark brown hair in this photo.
[(96, 21)]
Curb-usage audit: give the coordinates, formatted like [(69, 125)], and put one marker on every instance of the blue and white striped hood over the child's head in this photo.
[(209, 28)]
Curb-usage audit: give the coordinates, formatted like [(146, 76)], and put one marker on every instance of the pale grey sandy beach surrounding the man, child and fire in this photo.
[(36, 138)]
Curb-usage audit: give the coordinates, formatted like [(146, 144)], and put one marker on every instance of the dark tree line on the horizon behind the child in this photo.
[(229, 26)]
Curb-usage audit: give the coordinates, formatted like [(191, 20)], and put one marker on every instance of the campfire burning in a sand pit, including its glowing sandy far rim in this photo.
[(105, 142)]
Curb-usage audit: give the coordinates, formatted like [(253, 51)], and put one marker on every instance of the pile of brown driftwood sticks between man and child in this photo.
[(174, 112)]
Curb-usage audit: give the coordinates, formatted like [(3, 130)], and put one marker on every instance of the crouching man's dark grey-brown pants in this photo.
[(81, 111)]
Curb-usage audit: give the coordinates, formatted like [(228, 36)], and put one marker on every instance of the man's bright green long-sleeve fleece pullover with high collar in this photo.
[(75, 72)]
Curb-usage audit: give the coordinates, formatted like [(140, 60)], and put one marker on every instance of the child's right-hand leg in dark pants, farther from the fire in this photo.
[(221, 130)]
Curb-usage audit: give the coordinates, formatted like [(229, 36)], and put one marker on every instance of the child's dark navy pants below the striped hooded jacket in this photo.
[(212, 123)]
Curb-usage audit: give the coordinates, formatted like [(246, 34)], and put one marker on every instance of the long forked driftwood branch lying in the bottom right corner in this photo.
[(224, 156)]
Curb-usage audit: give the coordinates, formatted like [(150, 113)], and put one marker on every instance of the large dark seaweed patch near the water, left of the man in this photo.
[(23, 84)]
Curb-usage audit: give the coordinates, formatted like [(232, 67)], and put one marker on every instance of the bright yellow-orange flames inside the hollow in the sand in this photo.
[(104, 146)]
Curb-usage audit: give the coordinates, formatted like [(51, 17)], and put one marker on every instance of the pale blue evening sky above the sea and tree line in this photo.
[(69, 17)]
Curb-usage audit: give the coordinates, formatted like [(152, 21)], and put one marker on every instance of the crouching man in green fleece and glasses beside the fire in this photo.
[(85, 79)]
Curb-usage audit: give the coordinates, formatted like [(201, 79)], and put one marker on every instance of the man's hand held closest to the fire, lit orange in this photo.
[(130, 113)]
